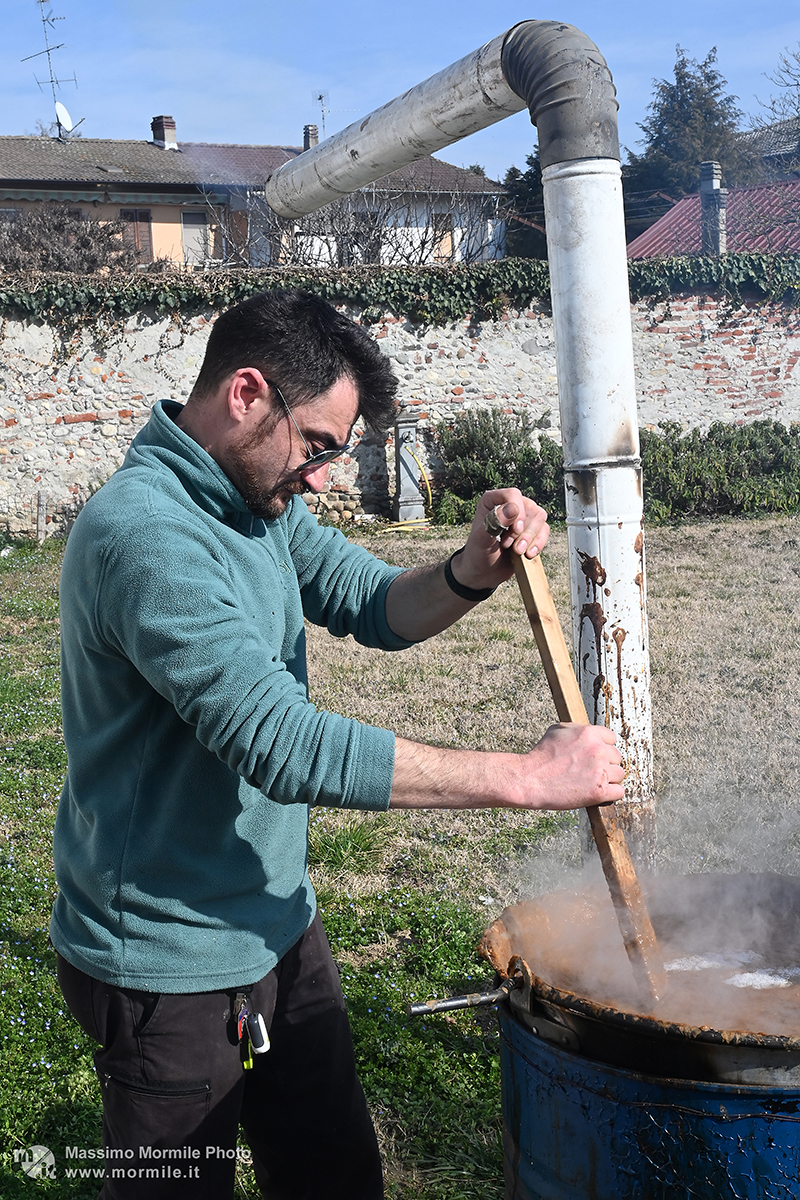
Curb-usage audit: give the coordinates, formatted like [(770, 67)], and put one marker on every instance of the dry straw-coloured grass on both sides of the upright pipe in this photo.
[(726, 688)]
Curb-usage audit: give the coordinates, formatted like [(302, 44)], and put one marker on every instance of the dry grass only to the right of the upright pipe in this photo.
[(724, 602)]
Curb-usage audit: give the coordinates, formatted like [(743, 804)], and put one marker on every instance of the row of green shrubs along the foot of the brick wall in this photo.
[(726, 471)]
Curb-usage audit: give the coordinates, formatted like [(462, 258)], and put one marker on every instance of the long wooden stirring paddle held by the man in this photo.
[(610, 838)]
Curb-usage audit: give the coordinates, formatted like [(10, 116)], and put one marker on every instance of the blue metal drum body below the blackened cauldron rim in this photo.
[(576, 1130)]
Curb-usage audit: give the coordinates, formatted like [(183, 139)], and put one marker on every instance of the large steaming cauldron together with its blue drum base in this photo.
[(603, 1102)]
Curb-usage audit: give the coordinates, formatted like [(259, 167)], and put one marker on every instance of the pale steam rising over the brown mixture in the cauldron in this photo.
[(729, 938)]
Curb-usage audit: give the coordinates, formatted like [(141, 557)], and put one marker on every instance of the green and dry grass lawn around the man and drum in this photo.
[(406, 896)]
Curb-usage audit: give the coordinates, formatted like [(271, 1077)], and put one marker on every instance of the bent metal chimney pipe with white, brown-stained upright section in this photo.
[(561, 76)]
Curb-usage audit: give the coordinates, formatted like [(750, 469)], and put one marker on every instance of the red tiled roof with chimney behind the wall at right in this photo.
[(718, 221)]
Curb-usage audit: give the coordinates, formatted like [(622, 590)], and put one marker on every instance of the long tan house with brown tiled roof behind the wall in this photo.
[(201, 205)]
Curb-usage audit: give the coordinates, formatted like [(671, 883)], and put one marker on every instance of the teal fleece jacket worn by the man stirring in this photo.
[(194, 752)]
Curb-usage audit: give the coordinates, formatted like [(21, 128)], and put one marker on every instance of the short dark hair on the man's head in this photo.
[(304, 345)]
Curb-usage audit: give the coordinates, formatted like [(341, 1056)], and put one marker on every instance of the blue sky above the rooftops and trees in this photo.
[(246, 71)]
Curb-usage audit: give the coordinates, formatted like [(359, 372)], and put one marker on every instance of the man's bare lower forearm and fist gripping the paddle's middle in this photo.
[(573, 767)]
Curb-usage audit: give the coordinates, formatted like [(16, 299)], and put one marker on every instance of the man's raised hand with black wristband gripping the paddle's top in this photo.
[(486, 561)]
